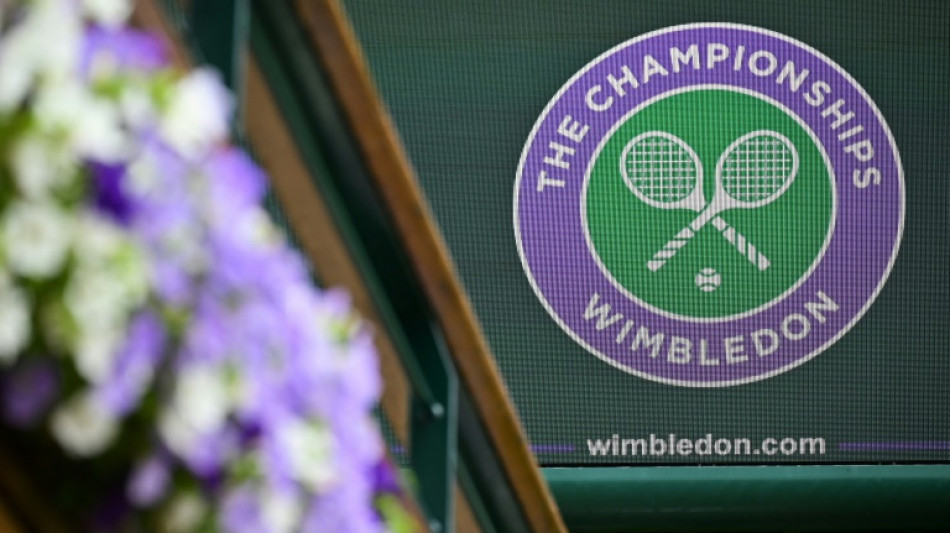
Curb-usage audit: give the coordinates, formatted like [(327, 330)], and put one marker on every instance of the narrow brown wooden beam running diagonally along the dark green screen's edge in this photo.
[(335, 43)]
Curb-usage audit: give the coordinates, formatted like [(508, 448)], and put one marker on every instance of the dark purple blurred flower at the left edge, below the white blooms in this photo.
[(28, 391)]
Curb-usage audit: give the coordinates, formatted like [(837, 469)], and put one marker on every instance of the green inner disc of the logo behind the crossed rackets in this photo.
[(790, 231)]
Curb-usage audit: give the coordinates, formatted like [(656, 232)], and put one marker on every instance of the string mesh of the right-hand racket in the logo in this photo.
[(757, 169)]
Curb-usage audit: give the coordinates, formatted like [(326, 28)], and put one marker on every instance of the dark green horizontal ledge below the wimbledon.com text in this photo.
[(743, 498)]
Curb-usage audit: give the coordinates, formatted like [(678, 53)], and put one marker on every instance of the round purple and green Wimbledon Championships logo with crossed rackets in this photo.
[(709, 205)]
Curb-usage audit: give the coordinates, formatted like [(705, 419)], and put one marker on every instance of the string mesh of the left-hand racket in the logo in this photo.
[(661, 170)]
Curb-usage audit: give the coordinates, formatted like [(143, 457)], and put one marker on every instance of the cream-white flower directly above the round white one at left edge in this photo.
[(40, 166)]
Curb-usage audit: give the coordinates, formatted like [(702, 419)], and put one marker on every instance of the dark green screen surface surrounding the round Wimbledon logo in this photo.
[(465, 82)]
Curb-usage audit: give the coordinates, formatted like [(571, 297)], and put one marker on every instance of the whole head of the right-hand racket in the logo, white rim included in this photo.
[(757, 168)]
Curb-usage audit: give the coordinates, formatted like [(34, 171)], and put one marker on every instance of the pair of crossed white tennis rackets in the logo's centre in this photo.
[(664, 172)]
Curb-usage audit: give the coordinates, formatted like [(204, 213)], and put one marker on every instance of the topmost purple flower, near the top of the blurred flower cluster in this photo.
[(123, 49)]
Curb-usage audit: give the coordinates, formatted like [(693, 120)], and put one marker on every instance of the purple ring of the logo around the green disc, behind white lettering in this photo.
[(565, 285)]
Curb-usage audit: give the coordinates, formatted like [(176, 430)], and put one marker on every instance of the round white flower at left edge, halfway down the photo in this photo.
[(35, 238)]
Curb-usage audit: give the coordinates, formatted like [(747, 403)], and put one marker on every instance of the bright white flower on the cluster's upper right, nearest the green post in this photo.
[(197, 116)]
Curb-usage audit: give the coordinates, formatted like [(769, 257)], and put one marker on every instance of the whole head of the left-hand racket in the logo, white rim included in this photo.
[(662, 170)]
